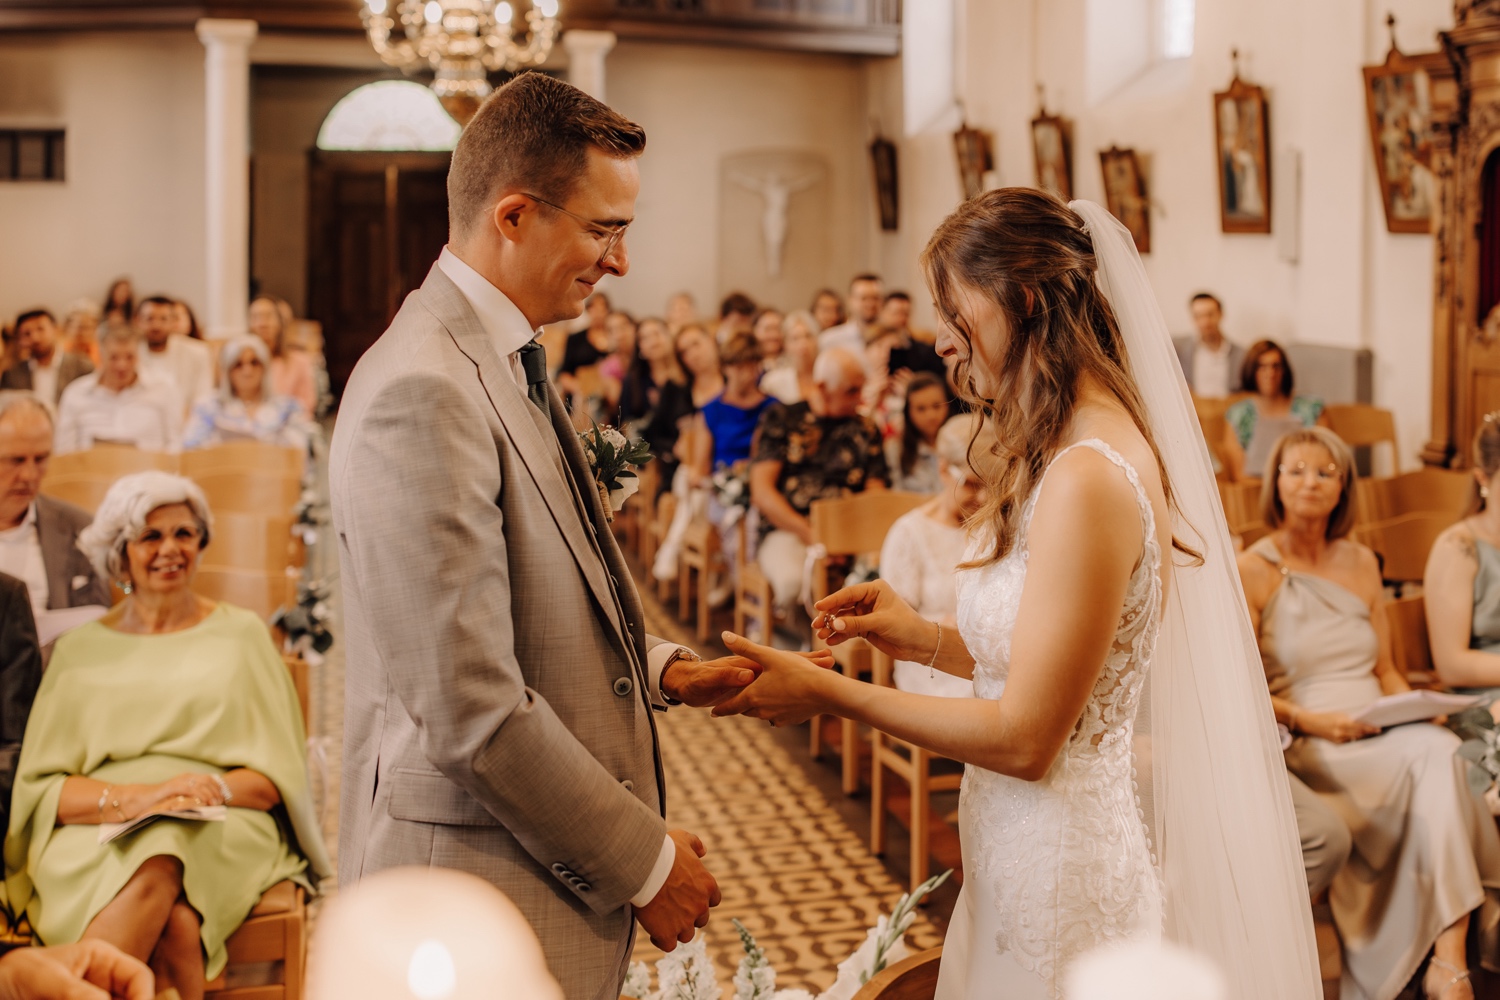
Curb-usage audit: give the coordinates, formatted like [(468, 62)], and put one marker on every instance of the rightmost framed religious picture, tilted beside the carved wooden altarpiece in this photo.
[(1399, 101)]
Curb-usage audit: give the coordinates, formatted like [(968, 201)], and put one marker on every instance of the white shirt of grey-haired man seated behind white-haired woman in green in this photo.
[(146, 415)]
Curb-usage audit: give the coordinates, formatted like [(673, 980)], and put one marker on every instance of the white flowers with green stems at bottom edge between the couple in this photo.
[(686, 974)]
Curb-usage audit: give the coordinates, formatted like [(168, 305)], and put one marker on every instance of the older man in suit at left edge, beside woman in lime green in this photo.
[(40, 534)]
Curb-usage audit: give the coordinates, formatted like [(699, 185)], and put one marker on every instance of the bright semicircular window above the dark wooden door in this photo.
[(392, 115)]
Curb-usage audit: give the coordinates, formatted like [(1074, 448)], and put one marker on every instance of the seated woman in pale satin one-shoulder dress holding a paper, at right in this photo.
[(1424, 848)]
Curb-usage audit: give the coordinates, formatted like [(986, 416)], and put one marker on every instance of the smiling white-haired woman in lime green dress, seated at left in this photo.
[(170, 702)]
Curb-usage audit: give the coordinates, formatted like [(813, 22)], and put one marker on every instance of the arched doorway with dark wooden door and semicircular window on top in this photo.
[(379, 212)]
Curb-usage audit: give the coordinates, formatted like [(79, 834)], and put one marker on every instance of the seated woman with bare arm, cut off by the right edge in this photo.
[(1462, 584)]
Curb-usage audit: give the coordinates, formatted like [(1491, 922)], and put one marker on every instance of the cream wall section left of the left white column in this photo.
[(134, 196)]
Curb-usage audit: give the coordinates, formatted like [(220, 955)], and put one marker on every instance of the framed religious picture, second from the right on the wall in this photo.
[(1243, 136)]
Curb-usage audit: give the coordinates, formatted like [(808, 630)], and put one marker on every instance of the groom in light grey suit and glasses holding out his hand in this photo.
[(500, 686)]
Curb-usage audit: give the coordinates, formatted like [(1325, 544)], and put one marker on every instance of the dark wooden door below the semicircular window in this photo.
[(377, 223)]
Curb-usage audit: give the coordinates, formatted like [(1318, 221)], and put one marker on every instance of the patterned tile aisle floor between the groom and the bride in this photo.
[(790, 867)]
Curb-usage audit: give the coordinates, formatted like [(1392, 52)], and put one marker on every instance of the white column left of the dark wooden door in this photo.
[(227, 167)]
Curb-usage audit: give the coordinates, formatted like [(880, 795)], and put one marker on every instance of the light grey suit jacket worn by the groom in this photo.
[(497, 716)]
